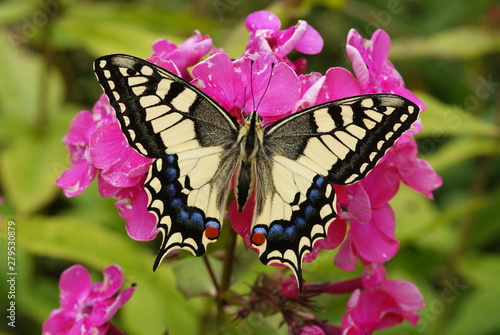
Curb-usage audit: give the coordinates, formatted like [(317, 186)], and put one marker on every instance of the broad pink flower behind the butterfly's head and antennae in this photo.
[(246, 84)]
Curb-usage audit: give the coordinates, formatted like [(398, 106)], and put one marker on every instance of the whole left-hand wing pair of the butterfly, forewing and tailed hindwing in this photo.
[(189, 135)]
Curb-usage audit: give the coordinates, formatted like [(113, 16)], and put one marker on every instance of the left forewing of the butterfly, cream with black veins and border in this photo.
[(159, 112)]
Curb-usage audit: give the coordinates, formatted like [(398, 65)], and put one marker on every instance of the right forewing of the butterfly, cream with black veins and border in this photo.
[(343, 139)]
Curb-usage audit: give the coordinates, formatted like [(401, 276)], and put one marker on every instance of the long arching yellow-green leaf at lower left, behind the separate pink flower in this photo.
[(83, 242)]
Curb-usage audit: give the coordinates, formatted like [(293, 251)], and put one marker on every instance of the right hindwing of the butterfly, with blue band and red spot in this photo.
[(292, 217)]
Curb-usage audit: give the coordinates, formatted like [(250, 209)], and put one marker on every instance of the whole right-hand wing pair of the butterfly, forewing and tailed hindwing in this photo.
[(337, 142)]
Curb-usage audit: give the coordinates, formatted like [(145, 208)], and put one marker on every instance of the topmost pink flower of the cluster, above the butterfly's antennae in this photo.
[(265, 36)]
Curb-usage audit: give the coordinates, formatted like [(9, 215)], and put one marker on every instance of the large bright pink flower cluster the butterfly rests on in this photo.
[(364, 228)]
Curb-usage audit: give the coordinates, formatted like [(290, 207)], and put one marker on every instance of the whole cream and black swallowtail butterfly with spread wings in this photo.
[(199, 149)]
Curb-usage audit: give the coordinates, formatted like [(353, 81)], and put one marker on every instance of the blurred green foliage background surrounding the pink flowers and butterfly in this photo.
[(448, 52)]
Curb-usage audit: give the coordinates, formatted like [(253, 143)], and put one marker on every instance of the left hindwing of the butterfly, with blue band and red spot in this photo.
[(187, 200)]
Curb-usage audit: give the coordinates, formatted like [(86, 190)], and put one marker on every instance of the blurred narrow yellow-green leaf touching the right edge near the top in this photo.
[(458, 43)]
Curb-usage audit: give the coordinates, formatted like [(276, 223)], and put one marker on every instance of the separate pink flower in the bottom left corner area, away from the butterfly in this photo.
[(87, 308)]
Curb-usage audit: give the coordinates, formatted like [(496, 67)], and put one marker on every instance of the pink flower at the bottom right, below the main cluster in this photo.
[(382, 303)]
